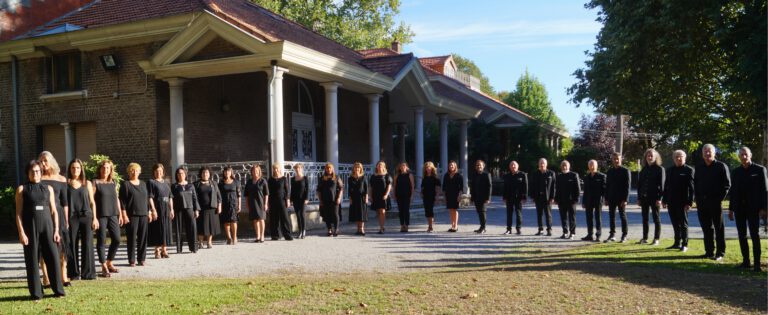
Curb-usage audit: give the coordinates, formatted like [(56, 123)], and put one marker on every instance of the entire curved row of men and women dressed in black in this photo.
[(57, 216)]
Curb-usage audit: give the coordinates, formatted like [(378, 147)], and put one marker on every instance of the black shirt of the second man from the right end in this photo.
[(711, 182)]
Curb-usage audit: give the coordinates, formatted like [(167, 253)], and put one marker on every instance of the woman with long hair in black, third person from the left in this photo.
[(82, 221)]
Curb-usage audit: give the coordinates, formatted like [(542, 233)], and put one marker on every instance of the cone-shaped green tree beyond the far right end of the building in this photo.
[(531, 97)]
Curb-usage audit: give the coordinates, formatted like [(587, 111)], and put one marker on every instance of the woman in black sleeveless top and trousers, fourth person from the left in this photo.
[(110, 216)]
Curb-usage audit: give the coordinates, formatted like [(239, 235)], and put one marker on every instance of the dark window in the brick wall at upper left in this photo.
[(65, 73)]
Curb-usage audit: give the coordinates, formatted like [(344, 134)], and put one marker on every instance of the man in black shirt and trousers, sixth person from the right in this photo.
[(592, 200)]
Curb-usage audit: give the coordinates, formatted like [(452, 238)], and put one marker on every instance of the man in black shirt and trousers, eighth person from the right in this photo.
[(542, 191)]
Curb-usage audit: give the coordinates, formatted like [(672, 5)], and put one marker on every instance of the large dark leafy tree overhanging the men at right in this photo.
[(689, 73)]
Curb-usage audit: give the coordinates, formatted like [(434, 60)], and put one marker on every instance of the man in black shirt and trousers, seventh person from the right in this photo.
[(568, 188)]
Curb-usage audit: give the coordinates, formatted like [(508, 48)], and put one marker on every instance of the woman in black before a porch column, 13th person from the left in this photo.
[(329, 192)]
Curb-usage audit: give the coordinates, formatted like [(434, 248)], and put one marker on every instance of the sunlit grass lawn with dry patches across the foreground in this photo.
[(593, 279)]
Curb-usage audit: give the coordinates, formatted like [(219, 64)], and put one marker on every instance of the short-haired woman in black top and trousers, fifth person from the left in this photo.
[(134, 199)]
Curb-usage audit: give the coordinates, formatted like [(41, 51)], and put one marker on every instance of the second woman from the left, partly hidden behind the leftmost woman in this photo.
[(51, 177)]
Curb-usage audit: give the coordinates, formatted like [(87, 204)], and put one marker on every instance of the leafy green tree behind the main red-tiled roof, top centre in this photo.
[(357, 24)]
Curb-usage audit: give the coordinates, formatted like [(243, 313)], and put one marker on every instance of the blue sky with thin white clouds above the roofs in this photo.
[(504, 38)]
